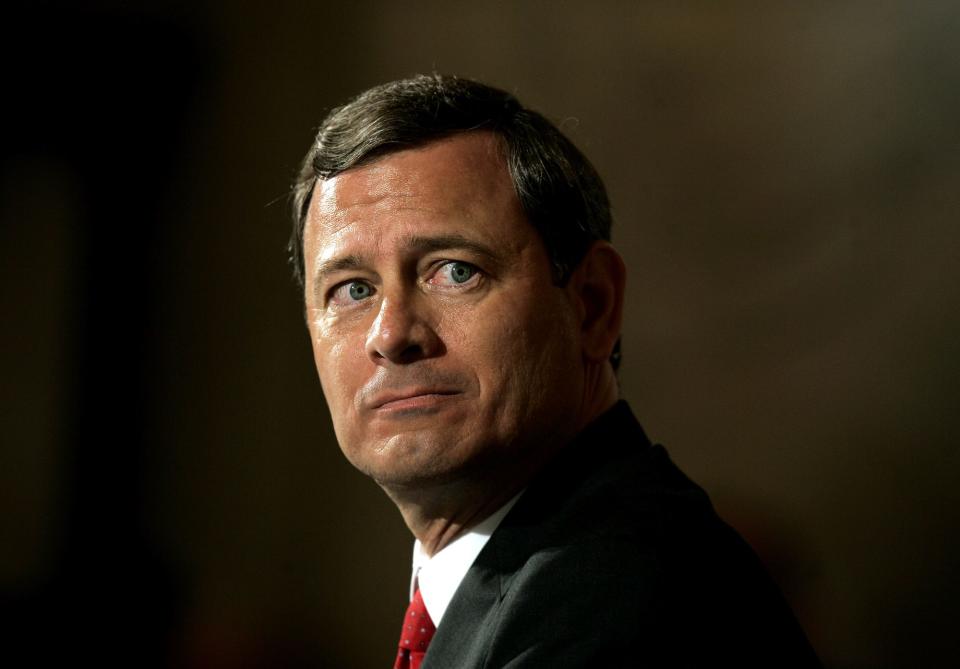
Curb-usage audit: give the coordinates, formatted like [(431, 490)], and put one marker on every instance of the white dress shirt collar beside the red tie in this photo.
[(438, 577)]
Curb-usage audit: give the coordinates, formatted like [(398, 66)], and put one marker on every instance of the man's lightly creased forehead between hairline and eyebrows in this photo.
[(459, 181)]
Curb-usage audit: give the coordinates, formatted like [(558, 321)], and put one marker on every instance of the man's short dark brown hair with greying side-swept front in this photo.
[(561, 193)]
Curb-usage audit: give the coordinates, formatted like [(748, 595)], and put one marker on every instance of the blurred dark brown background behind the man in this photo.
[(786, 182)]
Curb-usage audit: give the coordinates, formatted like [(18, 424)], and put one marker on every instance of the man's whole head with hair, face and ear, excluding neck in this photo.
[(461, 301)]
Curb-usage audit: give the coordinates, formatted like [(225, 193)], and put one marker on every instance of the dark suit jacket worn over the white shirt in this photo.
[(614, 558)]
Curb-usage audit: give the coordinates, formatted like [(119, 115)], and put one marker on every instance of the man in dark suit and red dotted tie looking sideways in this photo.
[(464, 305)]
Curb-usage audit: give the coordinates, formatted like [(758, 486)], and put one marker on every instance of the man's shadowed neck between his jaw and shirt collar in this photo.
[(437, 513)]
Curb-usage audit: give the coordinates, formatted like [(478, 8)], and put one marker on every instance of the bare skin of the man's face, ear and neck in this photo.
[(453, 366)]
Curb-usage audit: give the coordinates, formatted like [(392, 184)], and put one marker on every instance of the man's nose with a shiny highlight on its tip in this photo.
[(402, 333)]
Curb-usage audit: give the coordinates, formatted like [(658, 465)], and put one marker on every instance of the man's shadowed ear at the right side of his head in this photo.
[(597, 285)]
